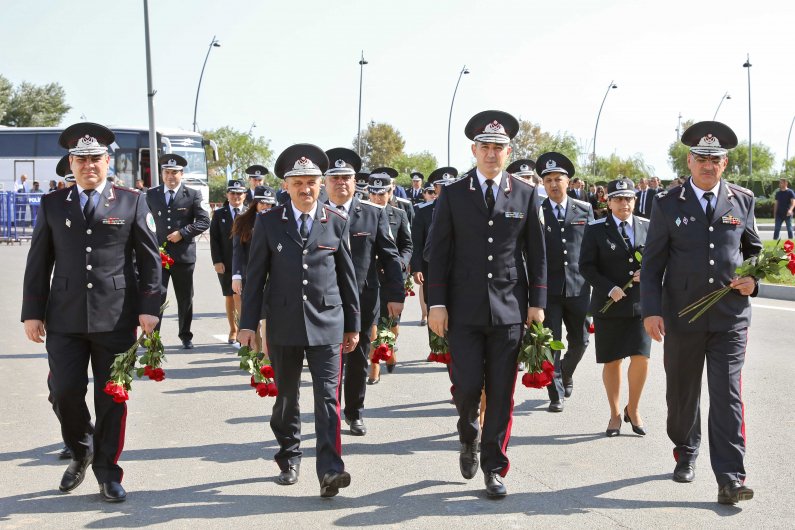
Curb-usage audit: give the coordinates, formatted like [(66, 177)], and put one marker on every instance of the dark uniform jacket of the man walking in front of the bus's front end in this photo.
[(184, 214)]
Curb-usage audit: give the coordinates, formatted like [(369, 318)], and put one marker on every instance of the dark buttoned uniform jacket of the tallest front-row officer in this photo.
[(477, 263)]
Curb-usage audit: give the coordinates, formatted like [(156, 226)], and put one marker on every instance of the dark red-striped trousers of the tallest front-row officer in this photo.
[(485, 355)]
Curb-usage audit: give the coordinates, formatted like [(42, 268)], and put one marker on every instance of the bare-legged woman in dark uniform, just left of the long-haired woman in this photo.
[(221, 250)]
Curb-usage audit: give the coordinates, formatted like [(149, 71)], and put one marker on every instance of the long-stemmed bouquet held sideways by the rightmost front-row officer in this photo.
[(769, 262)]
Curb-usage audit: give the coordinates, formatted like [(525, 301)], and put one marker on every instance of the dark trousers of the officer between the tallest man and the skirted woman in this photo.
[(569, 310)]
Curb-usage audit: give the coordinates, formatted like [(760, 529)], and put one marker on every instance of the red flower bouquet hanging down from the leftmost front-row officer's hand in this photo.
[(149, 364)]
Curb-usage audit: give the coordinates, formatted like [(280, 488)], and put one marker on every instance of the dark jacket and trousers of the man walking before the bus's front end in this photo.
[(185, 214)]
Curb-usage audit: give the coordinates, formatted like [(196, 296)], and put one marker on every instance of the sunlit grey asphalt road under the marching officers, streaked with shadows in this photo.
[(199, 450)]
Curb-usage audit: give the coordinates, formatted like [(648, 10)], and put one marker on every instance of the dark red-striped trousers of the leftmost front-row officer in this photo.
[(69, 355)]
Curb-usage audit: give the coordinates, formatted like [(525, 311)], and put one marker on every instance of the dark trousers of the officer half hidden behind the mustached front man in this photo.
[(357, 361)]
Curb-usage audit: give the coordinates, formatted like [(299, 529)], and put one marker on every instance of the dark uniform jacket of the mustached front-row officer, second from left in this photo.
[(311, 296)]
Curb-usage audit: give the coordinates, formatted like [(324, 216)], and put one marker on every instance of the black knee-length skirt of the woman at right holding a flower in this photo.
[(617, 338)]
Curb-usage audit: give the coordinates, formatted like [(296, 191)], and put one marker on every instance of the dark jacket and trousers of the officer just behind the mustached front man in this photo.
[(368, 227)]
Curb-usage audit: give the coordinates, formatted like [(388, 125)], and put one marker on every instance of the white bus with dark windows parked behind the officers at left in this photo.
[(34, 151)]
